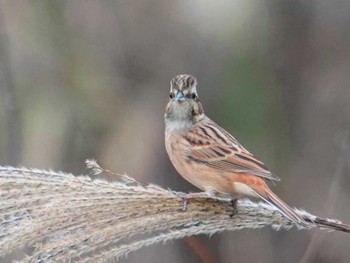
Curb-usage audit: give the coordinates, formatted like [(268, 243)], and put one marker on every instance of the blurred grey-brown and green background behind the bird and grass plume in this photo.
[(90, 79)]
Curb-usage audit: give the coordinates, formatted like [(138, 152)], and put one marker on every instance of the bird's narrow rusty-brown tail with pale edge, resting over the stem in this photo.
[(285, 209)]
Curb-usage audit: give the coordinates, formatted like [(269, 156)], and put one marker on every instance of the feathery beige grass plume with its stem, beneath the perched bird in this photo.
[(75, 218)]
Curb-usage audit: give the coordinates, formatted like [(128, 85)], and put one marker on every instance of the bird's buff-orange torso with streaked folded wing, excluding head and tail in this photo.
[(220, 166)]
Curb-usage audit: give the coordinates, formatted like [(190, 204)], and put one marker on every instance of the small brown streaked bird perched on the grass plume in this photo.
[(209, 157)]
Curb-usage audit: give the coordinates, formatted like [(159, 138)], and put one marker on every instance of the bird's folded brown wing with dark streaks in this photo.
[(215, 147)]
